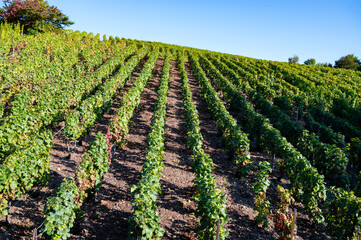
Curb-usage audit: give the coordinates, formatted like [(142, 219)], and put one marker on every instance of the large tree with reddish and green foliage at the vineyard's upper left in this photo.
[(33, 15)]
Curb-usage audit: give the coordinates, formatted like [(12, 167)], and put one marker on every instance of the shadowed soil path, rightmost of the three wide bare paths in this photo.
[(239, 202)]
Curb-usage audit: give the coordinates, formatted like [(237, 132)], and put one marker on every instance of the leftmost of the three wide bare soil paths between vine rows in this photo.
[(107, 216)]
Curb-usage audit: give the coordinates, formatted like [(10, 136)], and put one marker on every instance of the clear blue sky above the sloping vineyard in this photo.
[(265, 29)]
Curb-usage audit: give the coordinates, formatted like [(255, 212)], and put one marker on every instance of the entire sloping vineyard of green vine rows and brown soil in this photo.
[(123, 139)]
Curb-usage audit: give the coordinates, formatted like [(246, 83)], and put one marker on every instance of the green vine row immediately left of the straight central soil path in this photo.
[(144, 221)]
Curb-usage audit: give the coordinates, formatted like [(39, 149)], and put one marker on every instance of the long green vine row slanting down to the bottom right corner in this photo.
[(307, 184)]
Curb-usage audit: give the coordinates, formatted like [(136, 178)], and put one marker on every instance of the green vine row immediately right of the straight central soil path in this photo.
[(211, 207)]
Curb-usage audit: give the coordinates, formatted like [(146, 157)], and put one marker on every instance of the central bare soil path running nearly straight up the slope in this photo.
[(176, 204)]
